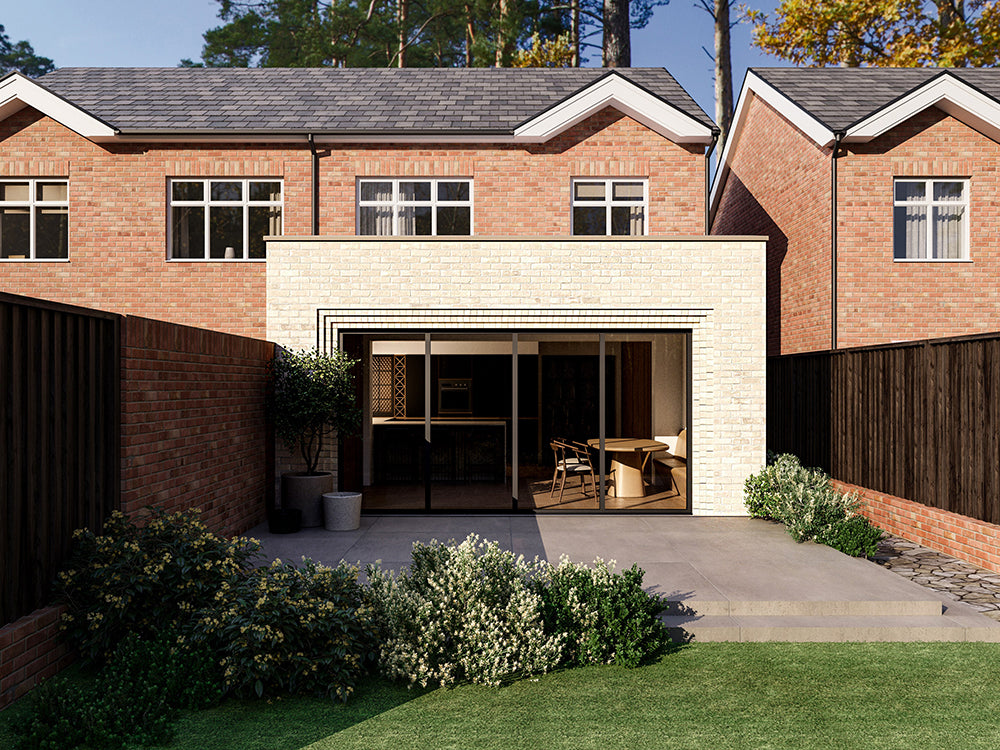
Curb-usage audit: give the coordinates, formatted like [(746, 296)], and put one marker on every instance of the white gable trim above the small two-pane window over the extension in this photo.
[(616, 91)]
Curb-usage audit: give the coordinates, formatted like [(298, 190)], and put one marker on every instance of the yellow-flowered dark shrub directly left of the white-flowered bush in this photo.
[(294, 629)]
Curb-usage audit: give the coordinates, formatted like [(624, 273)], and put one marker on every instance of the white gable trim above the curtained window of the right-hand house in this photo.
[(946, 92)]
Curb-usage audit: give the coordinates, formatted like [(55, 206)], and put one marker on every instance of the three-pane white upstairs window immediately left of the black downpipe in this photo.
[(223, 219)]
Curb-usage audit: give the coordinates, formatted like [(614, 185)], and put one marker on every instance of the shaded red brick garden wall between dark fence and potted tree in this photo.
[(193, 423)]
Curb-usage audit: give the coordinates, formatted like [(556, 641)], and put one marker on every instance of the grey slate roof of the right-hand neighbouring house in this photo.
[(840, 97)]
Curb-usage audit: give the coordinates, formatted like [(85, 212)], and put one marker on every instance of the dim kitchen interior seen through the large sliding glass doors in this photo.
[(486, 455)]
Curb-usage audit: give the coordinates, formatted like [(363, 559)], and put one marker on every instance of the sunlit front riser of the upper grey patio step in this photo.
[(927, 607)]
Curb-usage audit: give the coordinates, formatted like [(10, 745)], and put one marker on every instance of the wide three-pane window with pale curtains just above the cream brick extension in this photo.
[(415, 207)]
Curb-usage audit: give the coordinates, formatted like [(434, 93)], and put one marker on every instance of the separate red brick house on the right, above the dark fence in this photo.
[(877, 189)]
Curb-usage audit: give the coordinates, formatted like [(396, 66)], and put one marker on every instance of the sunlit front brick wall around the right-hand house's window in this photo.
[(881, 301)]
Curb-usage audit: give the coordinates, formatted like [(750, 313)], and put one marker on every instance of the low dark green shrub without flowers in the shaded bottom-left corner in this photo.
[(134, 699)]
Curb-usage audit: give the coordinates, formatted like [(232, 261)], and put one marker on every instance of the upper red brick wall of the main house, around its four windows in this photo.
[(118, 205)]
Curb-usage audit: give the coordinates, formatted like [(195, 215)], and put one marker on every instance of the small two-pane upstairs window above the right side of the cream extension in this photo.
[(610, 207)]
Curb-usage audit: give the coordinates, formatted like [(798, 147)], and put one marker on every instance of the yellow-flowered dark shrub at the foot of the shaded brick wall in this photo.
[(142, 579)]
